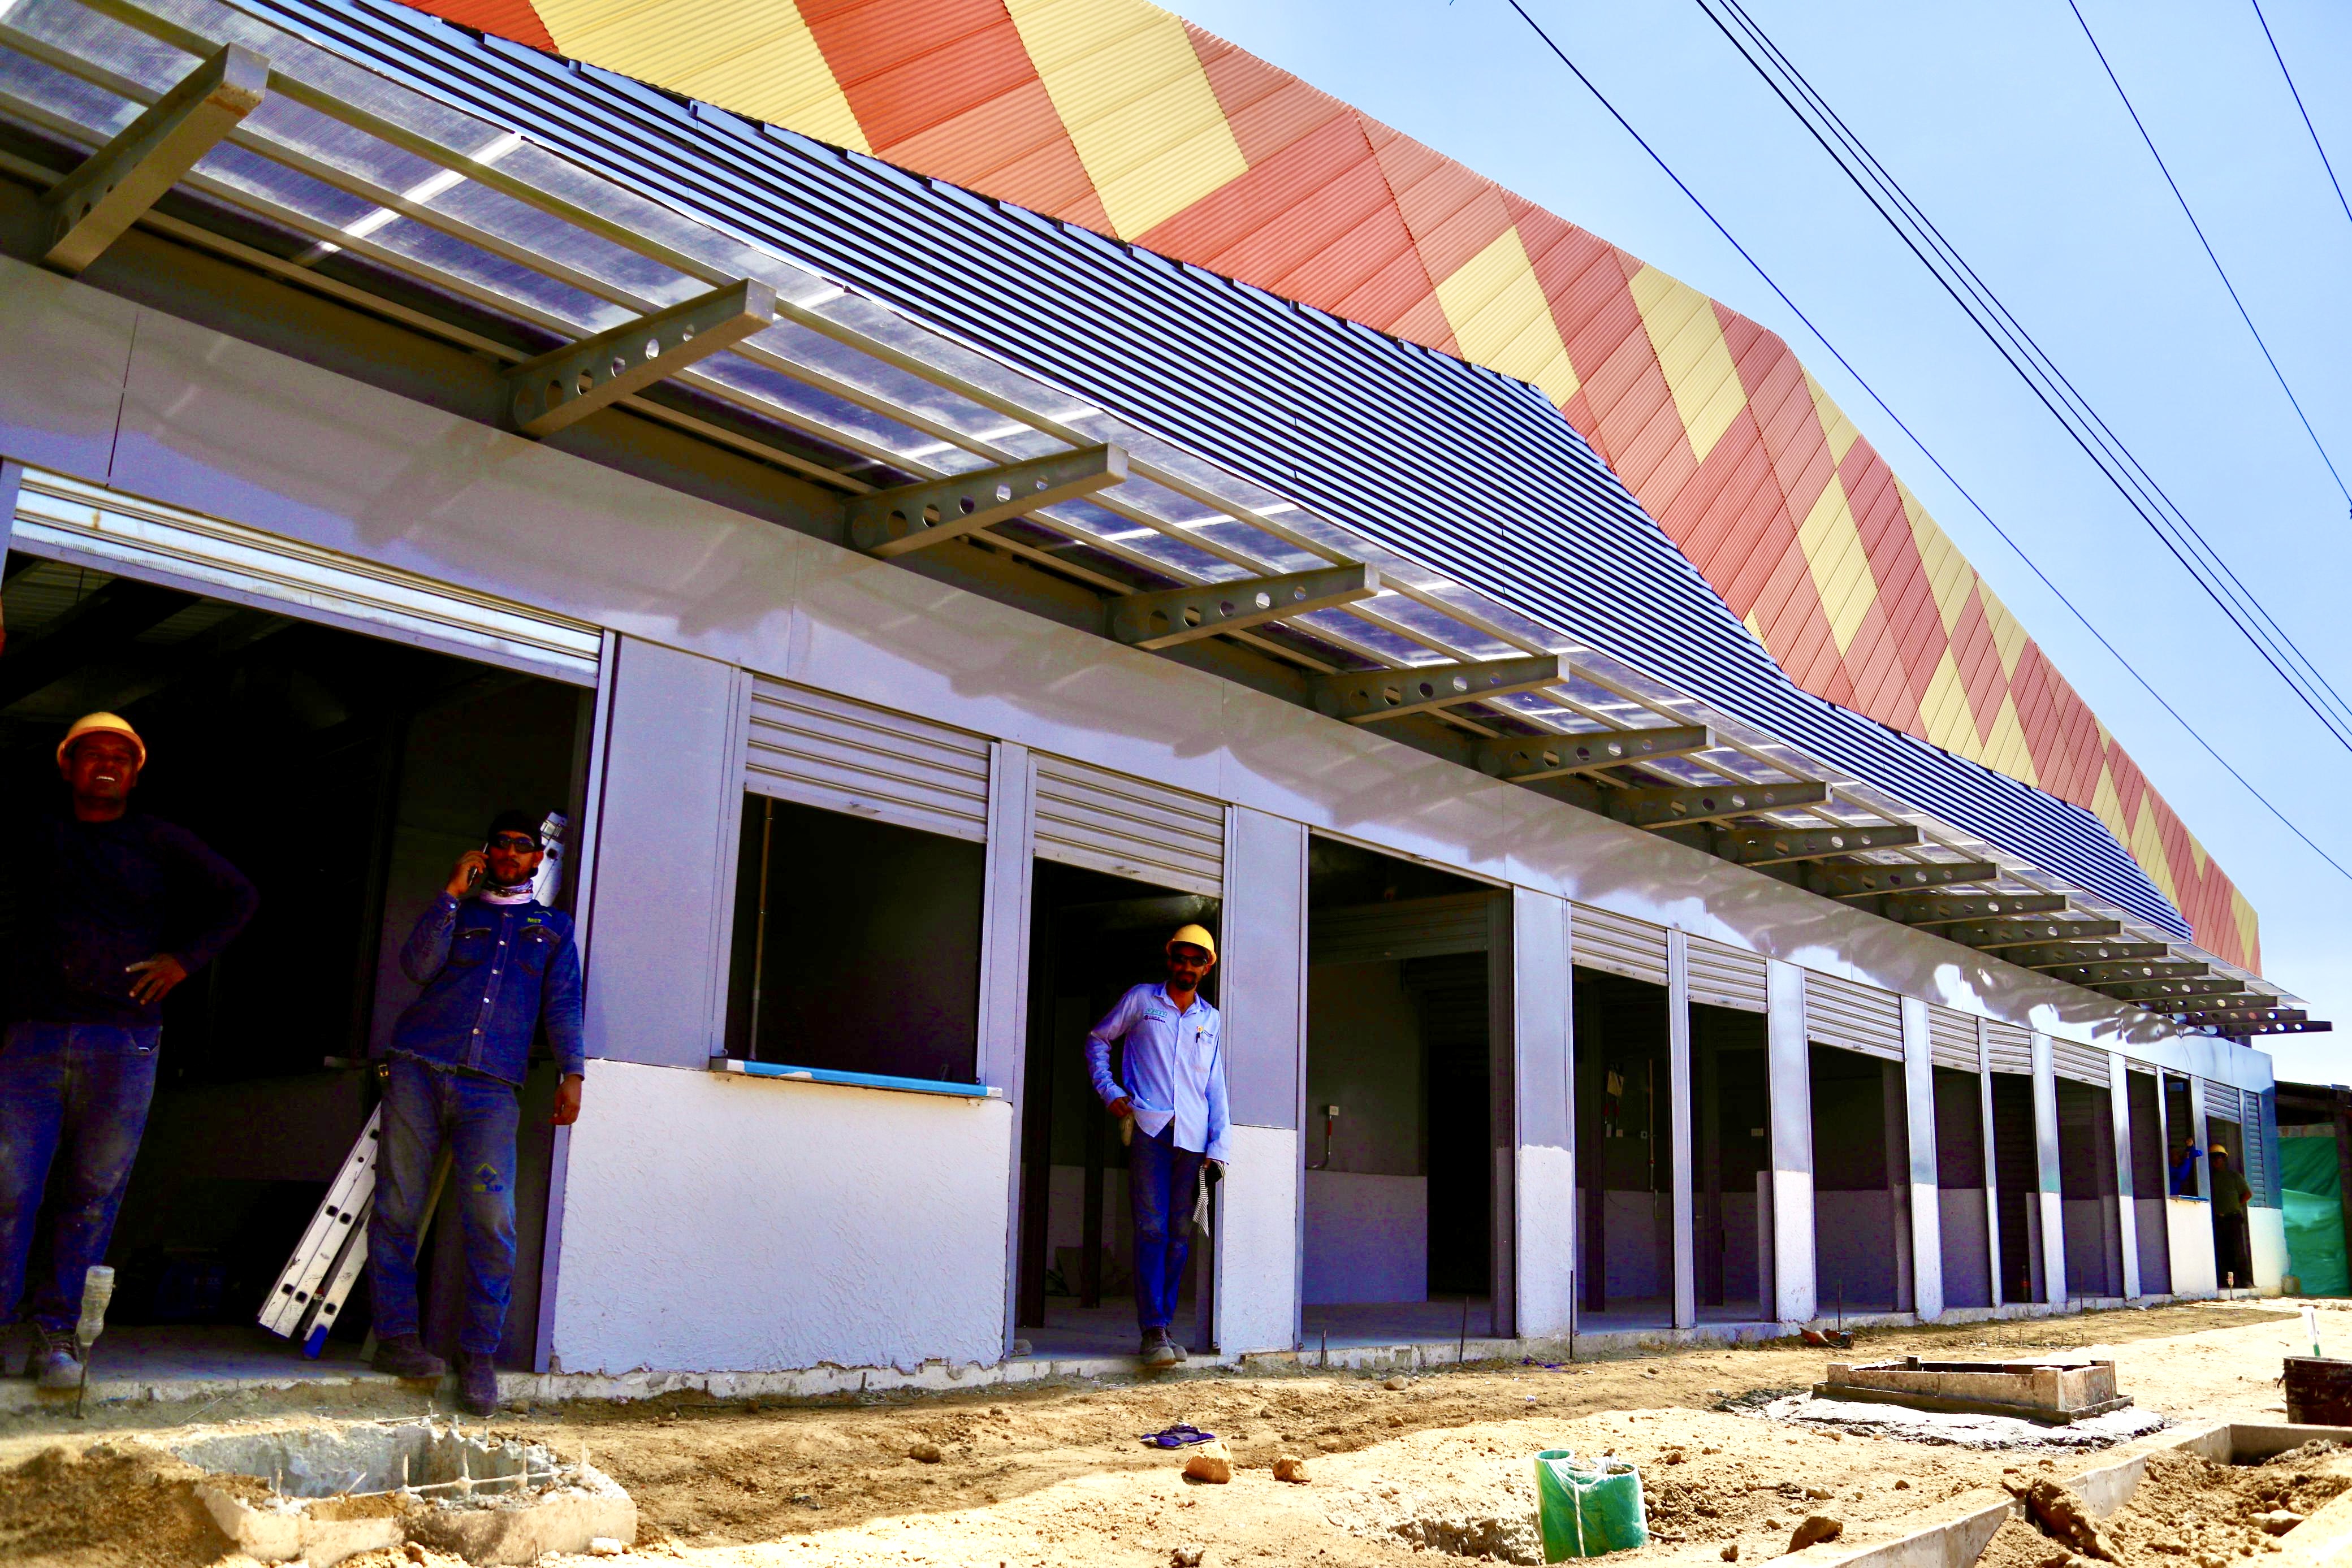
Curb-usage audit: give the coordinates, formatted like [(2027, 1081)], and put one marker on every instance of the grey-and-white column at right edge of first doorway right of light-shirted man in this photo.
[(1544, 1033)]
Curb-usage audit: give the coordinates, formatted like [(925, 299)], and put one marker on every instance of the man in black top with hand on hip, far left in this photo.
[(114, 911)]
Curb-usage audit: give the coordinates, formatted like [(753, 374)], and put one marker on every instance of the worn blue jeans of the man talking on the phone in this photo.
[(474, 1118)]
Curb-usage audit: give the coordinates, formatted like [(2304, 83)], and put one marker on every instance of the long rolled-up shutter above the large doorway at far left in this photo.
[(145, 540)]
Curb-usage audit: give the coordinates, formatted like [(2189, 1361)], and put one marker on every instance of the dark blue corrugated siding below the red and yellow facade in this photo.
[(1441, 462)]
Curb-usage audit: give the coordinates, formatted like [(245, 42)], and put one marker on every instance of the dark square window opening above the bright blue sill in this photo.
[(857, 946)]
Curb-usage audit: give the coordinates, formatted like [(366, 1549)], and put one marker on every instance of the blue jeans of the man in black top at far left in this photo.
[(74, 1106)]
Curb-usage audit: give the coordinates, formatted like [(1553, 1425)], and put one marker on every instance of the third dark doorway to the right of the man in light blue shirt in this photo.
[(1732, 1094)]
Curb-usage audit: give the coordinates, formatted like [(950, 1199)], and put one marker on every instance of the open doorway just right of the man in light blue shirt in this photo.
[(1408, 1134)]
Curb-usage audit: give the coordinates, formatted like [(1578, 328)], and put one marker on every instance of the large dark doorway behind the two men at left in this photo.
[(342, 775)]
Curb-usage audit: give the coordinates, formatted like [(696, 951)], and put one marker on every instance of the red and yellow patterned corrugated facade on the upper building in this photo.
[(1130, 121)]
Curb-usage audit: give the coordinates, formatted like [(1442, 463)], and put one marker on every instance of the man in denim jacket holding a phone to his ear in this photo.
[(495, 967)]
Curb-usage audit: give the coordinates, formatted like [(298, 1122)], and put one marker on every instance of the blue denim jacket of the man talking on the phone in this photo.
[(493, 974)]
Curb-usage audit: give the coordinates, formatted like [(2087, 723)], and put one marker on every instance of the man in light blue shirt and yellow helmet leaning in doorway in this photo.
[(1175, 1094)]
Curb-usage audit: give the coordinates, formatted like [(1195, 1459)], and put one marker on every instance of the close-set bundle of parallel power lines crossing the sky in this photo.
[(2038, 370)]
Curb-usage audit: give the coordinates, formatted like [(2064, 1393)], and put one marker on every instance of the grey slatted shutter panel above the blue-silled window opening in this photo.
[(827, 751)]
